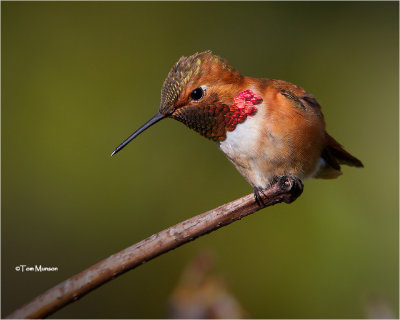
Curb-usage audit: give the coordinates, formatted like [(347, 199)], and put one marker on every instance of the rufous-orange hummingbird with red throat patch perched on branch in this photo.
[(267, 128)]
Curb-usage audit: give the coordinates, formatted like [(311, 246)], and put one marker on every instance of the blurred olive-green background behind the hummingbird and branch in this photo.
[(79, 77)]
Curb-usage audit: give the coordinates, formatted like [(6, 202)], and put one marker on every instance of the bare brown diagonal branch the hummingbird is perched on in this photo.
[(285, 190)]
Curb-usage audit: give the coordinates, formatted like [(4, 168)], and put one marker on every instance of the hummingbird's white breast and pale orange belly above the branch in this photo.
[(261, 159)]
